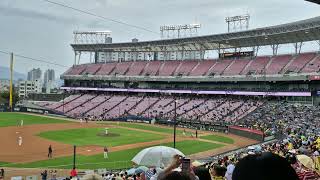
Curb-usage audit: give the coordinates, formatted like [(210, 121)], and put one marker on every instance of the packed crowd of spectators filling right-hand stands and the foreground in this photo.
[(294, 155)]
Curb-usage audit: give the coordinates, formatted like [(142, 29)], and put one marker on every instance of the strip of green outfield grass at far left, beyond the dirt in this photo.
[(13, 119)]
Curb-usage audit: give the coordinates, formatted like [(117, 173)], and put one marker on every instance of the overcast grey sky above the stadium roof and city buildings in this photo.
[(38, 29)]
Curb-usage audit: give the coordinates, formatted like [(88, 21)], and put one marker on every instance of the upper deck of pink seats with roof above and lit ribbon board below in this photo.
[(268, 74)]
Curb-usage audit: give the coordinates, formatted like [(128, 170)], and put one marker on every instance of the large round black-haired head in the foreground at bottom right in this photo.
[(264, 167)]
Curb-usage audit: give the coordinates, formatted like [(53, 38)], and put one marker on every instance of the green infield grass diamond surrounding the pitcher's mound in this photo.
[(89, 136)]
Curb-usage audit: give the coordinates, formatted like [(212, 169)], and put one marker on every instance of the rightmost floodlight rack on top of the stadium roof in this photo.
[(238, 23)]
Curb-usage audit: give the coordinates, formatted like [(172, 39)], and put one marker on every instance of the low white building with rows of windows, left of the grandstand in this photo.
[(27, 87)]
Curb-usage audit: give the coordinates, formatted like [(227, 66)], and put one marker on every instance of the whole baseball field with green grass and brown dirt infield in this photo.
[(124, 141)]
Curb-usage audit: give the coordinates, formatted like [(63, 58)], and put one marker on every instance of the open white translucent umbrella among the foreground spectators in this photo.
[(158, 156)]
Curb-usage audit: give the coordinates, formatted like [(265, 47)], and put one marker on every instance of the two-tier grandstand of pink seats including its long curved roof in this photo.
[(143, 85)]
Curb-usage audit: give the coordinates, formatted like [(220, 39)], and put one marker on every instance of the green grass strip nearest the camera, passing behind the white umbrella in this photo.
[(116, 160)]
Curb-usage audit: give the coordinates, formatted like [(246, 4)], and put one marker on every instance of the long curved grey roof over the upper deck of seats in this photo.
[(300, 31)]
